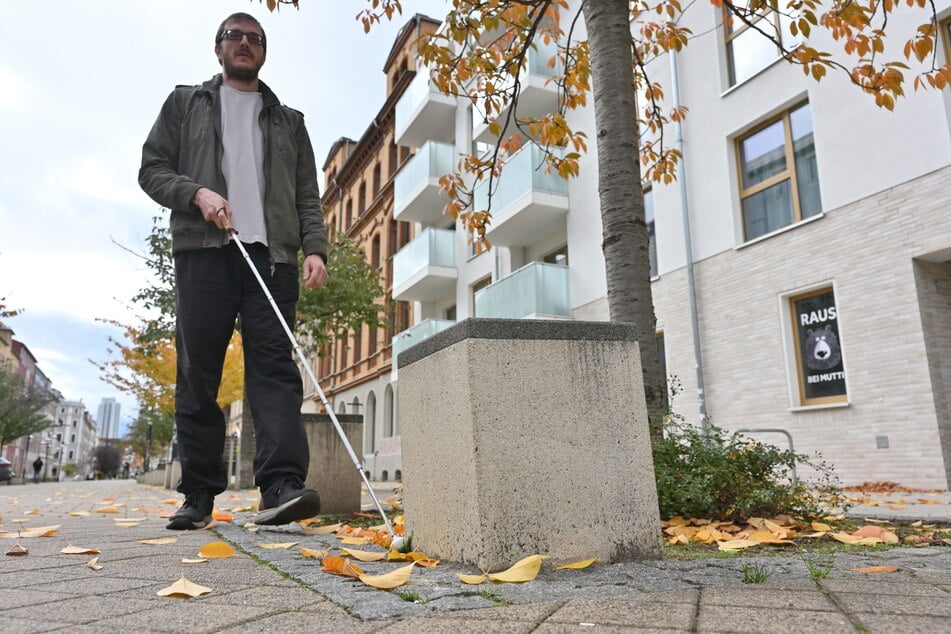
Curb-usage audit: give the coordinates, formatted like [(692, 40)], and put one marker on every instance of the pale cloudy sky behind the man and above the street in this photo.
[(82, 82)]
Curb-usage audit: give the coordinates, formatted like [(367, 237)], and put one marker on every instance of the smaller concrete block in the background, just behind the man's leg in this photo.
[(332, 472)]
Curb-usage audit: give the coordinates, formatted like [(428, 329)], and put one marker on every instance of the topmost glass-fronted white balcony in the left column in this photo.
[(423, 113)]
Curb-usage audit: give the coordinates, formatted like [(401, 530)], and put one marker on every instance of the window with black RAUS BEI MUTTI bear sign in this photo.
[(820, 368)]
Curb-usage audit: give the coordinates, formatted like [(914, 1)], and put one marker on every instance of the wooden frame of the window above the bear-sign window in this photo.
[(789, 173)]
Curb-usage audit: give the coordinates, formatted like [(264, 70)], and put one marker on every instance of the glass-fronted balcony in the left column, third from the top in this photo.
[(425, 269)]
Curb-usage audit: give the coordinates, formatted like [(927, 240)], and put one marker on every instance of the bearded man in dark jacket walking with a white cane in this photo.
[(222, 154)]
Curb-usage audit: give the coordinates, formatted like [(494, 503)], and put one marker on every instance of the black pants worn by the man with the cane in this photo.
[(213, 287)]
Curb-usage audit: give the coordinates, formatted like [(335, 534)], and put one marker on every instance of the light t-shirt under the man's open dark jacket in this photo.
[(243, 161)]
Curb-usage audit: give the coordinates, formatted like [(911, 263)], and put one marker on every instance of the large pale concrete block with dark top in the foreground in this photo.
[(527, 437)]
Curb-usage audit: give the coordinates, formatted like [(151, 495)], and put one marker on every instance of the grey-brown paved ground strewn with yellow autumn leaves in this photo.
[(266, 589)]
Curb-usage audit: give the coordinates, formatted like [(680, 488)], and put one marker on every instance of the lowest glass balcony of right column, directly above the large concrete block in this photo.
[(536, 291)]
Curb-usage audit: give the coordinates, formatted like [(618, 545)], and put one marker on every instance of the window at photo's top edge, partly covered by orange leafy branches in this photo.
[(751, 48)]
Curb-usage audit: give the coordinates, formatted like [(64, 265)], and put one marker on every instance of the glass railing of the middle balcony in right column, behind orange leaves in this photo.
[(523, 172)]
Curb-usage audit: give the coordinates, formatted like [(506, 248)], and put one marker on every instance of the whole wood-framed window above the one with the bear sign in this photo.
[(779, 179)]
